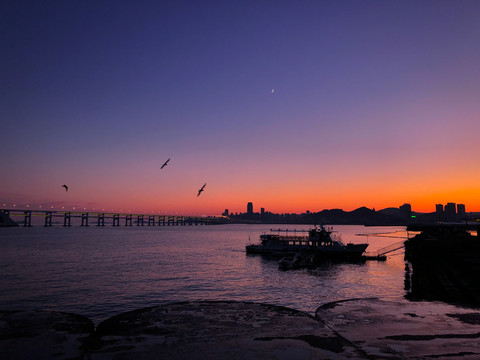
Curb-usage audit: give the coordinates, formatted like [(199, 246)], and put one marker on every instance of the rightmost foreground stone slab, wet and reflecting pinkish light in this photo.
[(385, 329)]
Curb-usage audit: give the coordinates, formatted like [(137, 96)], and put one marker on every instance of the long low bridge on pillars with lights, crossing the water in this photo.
[(84, 218)]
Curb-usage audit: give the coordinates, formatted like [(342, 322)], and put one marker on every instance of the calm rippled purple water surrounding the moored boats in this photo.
[(100, 272)]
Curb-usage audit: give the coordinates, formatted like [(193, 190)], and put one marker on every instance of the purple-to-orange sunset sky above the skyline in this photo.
[(291, 105)]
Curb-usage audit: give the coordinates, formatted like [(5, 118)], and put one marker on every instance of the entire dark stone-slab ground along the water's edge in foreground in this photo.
[(349, 329)]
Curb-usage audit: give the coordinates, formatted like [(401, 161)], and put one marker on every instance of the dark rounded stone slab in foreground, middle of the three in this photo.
[(218, 330)]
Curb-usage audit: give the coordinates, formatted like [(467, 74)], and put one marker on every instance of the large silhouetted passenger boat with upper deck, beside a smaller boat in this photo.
[(320, 242)]
